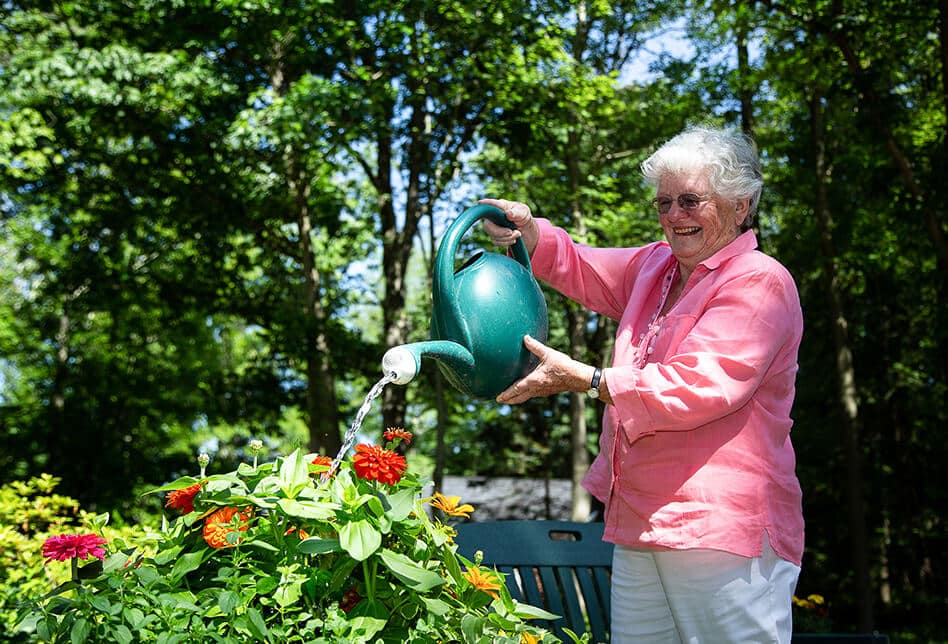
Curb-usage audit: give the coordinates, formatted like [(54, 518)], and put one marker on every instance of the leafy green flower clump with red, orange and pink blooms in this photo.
[(287, 551)]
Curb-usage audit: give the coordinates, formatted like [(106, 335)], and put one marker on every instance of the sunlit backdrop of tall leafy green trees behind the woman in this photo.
[(215, 217)]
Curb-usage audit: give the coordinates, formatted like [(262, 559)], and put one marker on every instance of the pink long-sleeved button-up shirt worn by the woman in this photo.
[(695, 452)]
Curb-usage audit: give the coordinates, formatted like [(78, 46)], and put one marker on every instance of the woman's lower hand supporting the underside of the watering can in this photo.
[(556, 373)]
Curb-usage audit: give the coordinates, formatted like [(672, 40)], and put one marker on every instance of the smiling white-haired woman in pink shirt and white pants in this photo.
[(696, 468)]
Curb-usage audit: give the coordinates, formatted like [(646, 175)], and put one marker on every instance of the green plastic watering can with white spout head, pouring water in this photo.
[(479, 316)]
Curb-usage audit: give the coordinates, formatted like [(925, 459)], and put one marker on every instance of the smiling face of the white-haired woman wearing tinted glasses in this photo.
[(696, 234)]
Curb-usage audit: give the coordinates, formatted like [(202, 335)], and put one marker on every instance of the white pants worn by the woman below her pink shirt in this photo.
[(701, 597)]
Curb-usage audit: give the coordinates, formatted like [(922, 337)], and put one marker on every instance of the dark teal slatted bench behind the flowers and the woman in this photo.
[(565, 567)]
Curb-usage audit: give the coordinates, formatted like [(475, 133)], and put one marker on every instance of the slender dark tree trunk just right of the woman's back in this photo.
[(846, 380)]
